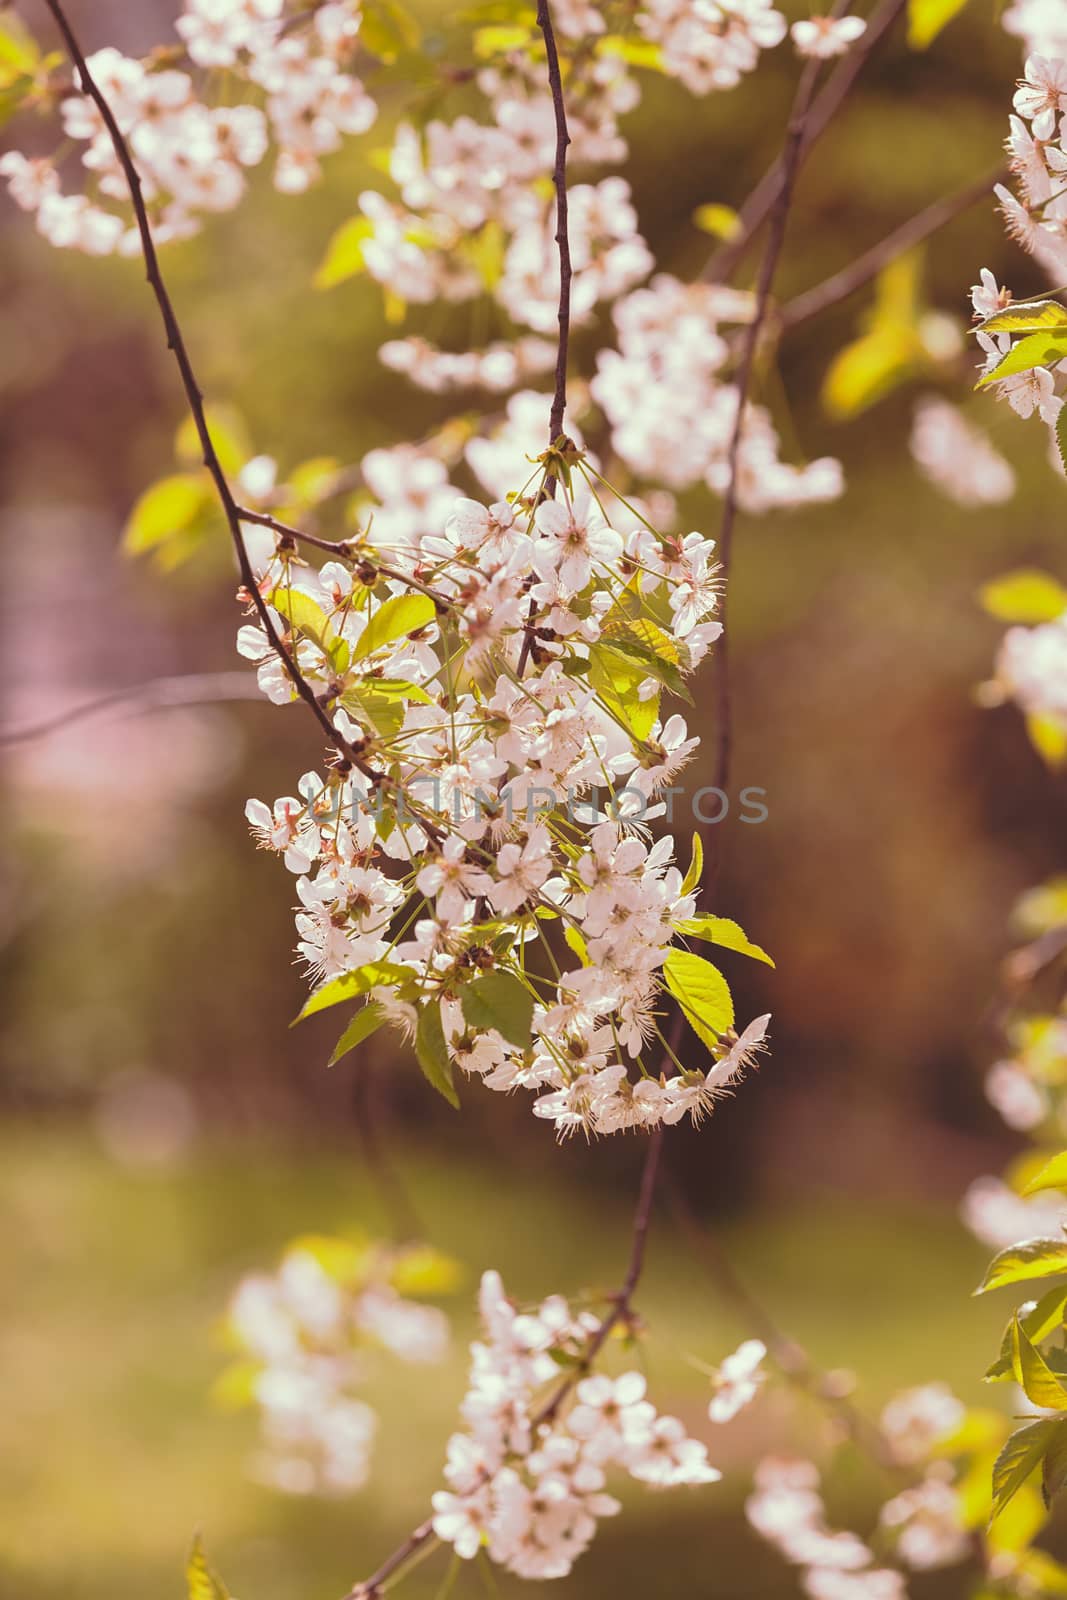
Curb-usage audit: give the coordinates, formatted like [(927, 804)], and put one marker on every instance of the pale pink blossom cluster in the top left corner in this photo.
[(193, 156)]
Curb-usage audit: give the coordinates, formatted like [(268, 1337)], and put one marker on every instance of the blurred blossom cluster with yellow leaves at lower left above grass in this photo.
[(305, 1338)]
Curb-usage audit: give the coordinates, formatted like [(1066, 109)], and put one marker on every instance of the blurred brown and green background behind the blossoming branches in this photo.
[(164, 1130)]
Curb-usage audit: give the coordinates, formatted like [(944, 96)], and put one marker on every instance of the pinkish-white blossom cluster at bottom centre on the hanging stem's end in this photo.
[(527, 1479)]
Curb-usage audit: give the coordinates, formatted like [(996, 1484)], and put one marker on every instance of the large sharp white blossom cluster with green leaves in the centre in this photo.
[(481, 868)]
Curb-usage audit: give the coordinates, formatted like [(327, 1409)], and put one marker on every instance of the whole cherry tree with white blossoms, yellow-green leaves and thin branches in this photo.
[(479, 863)]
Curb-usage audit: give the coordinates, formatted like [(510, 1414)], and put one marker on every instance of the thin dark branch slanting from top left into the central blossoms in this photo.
[(194, 398)]
